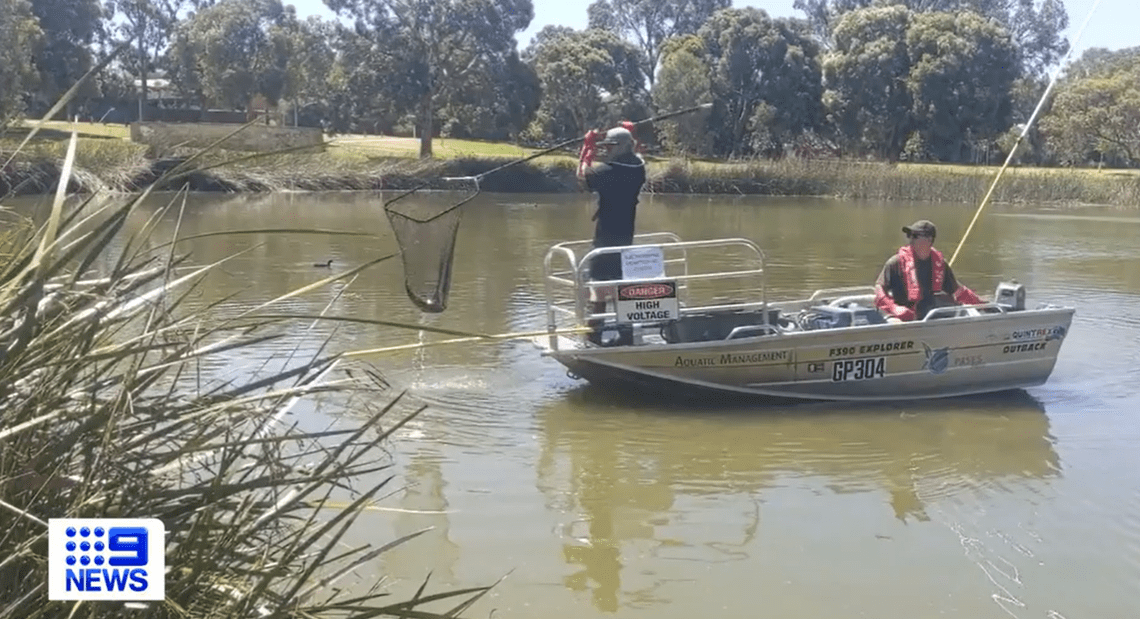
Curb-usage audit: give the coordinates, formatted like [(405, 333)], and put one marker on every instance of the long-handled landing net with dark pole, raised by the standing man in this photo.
[(427, 233)]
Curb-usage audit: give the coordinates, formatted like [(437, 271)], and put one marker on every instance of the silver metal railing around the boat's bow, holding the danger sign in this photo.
[(568, 284)]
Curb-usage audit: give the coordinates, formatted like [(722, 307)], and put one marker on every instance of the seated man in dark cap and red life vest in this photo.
[(913, 278)]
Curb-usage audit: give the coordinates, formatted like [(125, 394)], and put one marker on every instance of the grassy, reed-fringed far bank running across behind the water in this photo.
[(120, 166)]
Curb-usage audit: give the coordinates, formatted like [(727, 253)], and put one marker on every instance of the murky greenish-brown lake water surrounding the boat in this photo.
[(601, 506)]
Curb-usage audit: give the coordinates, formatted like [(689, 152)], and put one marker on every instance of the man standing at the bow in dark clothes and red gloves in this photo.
[(618, 181)]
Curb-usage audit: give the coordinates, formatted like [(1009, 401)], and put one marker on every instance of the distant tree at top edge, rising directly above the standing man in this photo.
[(650, 23)]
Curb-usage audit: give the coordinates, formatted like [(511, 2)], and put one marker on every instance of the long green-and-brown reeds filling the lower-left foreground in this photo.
[(103, 413)]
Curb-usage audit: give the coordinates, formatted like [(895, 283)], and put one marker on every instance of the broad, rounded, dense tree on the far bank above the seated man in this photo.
[(926, 84)]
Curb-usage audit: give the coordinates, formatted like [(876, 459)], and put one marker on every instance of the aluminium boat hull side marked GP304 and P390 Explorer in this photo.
[(940, 359)]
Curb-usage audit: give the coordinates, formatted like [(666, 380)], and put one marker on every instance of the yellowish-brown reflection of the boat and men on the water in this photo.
[(626, 473)]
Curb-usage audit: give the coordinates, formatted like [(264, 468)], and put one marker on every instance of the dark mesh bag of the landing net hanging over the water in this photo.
[(427, 233)]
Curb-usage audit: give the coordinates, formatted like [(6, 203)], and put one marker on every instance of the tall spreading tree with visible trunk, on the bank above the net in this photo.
[(431, 50)]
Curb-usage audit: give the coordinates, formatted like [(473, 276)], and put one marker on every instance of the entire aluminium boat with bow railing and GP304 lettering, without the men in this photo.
[(680, 336)]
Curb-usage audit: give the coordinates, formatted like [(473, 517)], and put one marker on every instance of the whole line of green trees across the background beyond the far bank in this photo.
[(889, 79)]
